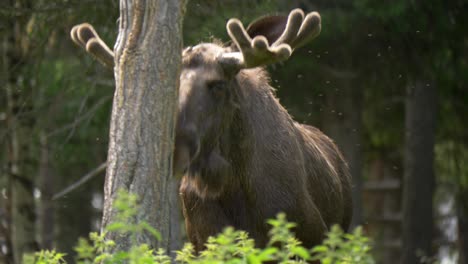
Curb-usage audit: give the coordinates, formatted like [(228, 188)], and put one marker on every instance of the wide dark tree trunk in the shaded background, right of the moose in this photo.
[(418, 185)]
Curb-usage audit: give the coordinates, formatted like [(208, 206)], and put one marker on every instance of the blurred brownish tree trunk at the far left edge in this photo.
[(19, 99)]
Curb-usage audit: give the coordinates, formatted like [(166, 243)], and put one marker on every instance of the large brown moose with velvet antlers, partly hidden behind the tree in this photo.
[(241, 157)]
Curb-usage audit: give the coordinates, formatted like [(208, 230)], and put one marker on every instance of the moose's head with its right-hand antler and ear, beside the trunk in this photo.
[(209, 93)]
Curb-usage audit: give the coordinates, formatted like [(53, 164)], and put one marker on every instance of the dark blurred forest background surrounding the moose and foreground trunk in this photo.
[(385, 80)]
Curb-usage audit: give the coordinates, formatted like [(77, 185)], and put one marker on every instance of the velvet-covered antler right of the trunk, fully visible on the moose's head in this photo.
[(256, 51)]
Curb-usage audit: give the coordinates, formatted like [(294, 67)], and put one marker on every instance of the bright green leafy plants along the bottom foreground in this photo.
[(231, 246)]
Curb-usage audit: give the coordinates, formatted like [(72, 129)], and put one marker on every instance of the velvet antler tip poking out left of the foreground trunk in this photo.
[(86, 37)]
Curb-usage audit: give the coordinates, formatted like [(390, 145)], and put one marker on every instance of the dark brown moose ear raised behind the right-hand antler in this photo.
[(271, 27)]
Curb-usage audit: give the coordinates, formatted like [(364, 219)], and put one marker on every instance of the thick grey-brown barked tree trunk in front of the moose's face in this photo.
[(147, 58)]
